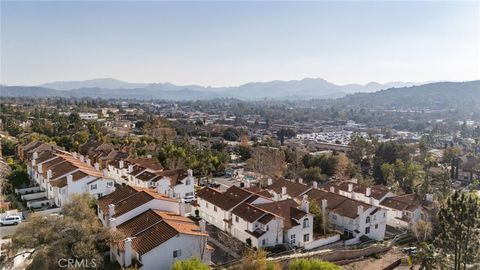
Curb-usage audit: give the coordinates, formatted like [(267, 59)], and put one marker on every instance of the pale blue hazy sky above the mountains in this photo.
[(229, 43)]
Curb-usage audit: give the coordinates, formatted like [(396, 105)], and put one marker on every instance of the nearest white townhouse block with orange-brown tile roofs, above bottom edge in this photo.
[(153, 229)]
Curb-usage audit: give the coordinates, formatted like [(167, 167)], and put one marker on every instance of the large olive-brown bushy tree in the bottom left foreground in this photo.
[(76, 234)]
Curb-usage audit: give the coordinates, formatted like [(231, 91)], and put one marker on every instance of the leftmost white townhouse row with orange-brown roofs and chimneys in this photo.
[(60, 174)]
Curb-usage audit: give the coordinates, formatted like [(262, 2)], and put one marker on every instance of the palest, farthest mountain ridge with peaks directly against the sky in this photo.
[(306, 88)]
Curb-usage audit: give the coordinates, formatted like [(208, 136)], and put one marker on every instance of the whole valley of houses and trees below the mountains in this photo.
[(227, 183)]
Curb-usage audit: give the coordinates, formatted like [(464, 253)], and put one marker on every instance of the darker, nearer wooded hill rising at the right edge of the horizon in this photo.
[(440, 95)]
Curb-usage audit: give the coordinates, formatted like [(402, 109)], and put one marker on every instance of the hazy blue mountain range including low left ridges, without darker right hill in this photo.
[(112, 88)]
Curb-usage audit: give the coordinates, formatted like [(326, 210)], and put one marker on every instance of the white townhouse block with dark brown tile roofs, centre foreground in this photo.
[(254, 219)]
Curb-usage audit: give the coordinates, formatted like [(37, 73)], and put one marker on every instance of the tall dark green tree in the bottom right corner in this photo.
[(458, 229)]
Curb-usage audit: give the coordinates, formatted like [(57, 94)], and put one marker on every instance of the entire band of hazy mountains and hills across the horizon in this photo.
[(432, 95)]
